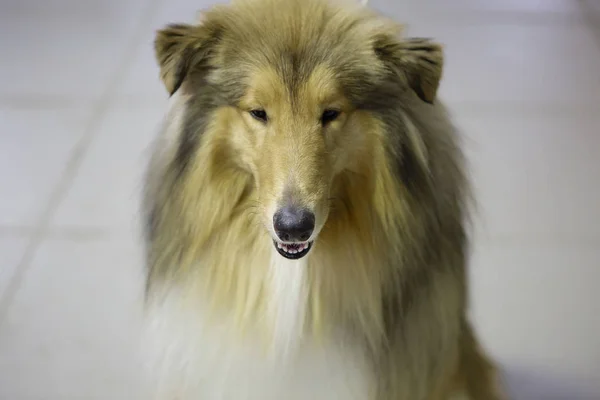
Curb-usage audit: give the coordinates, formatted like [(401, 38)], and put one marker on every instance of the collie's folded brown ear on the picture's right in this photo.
[(418, 61)]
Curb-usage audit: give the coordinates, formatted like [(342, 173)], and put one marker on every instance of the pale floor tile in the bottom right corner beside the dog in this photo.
[(536, 309)]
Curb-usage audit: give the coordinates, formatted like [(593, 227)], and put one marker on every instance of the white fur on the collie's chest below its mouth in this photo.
[(197, 359)]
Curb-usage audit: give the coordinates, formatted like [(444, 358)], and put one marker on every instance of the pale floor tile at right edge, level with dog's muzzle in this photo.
[(535, 174)]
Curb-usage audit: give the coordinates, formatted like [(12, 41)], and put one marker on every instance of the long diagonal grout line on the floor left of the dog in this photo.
[(76, 158)]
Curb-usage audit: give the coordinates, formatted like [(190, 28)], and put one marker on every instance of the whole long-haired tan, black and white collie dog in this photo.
[(305, 213)]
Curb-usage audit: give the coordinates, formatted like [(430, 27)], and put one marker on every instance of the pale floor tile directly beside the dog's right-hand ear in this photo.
[(491, 62)]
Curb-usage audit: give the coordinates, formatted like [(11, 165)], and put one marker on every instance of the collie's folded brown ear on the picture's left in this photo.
[(178, 47)]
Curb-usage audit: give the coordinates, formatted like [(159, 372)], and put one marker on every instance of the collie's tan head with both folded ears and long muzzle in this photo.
[(296, 89)]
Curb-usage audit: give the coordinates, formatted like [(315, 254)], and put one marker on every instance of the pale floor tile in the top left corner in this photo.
[(68, 49)]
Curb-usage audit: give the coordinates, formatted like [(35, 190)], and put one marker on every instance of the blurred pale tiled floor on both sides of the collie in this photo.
[(80, 100)]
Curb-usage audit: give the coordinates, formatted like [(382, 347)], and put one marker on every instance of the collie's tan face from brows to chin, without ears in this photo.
[(295, 140)]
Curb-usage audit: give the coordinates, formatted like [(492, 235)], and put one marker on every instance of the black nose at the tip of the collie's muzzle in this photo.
[(294, 224)]
